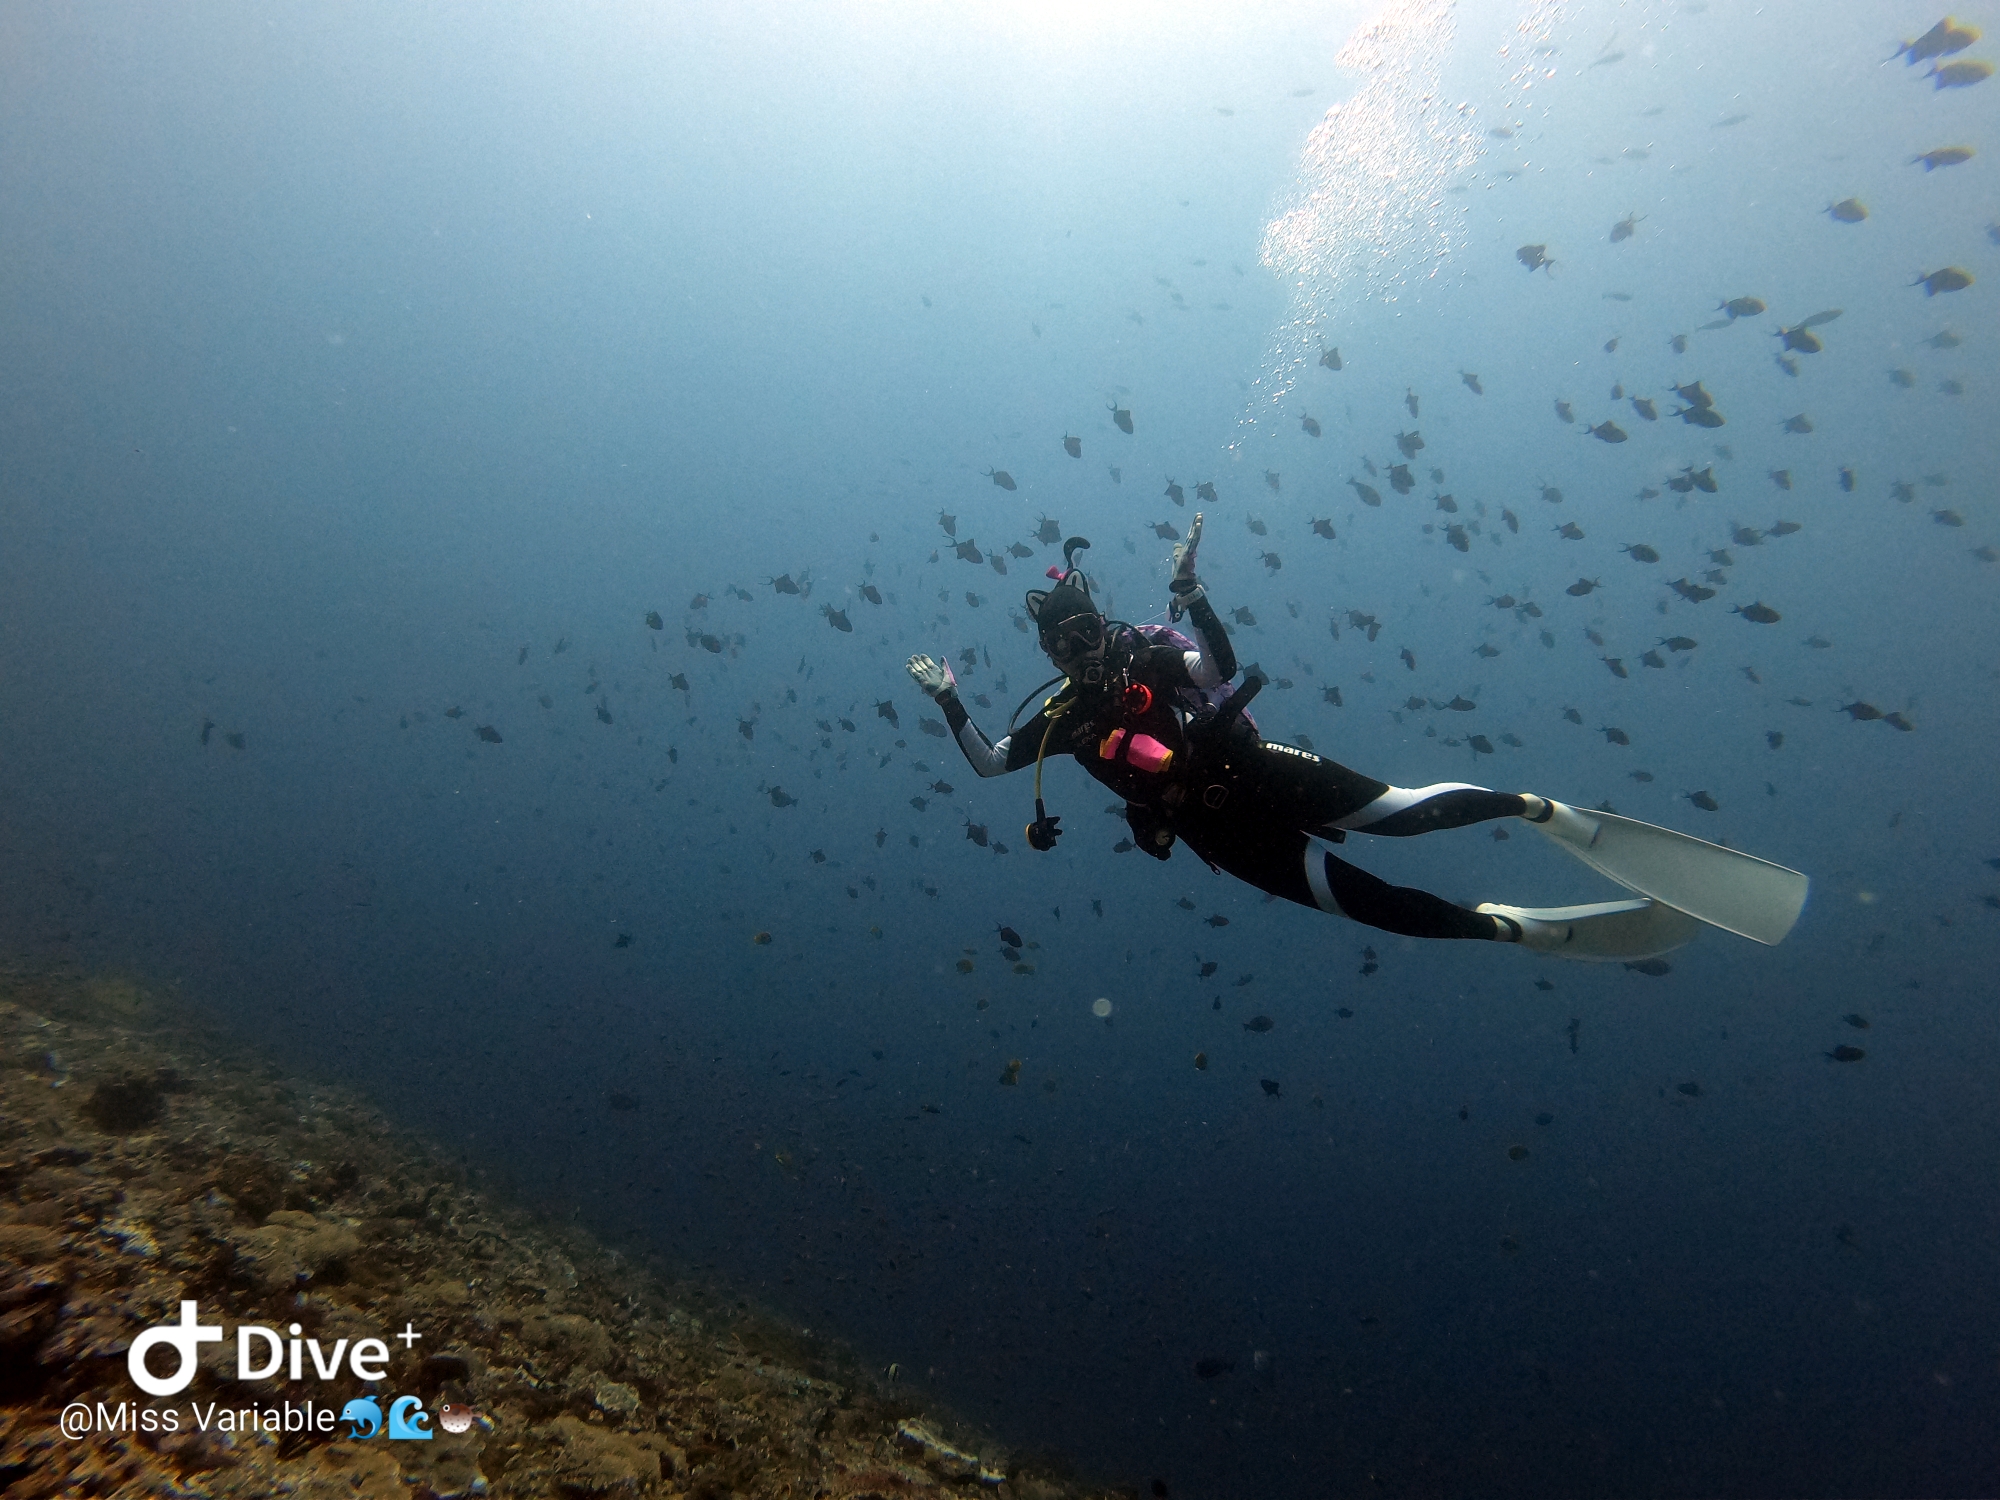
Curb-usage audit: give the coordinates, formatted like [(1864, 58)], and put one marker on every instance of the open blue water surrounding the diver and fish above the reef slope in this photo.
[(357, 361)]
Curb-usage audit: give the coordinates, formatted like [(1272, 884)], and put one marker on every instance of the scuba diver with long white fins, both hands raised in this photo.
[(1151, 713)]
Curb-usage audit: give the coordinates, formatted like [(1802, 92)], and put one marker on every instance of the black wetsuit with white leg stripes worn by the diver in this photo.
[(1257, 809)]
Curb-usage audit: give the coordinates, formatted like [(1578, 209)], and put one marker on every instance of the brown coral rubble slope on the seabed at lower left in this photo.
[(145, 1165)]
